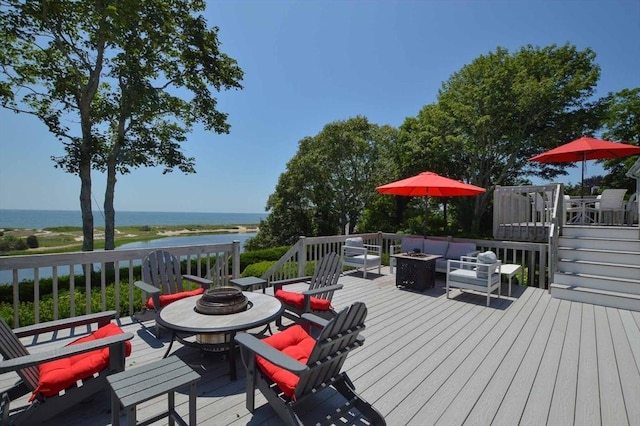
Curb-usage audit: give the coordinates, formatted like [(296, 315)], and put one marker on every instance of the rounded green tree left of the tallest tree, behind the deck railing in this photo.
[(327, 184)]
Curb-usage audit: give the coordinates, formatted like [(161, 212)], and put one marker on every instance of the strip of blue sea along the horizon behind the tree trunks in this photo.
[(40, 219)]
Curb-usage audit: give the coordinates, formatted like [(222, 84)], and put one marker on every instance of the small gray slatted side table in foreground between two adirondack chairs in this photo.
[(140, 384)]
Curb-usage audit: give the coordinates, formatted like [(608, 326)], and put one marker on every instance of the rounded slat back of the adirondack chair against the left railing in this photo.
[(162, 269)]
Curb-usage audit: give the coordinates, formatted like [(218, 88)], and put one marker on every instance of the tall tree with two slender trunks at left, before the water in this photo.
[(137, 75)]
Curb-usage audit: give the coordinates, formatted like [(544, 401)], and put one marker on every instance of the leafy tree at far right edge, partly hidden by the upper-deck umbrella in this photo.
[(622, 123)]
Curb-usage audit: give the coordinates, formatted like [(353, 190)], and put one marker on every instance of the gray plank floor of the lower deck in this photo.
[(529, 359)]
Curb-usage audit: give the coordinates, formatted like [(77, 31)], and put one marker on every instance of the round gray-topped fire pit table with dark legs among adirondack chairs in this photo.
[(183, 321)]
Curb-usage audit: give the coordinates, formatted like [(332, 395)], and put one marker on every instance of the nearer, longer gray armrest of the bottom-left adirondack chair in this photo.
[(64, 352)]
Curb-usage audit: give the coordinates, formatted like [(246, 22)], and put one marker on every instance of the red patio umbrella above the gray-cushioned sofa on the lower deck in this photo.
[(429, 184)]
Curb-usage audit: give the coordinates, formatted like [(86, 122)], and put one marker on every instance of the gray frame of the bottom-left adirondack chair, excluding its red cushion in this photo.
[(17, 358)]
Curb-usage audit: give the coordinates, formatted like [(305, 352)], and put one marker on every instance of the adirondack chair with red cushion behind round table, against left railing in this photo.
[(162, 282)]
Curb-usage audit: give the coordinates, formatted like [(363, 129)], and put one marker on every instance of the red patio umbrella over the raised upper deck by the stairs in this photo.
[(584, 149)]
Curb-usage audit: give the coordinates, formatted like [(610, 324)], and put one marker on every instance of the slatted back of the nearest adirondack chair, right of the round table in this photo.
[(335, 341)]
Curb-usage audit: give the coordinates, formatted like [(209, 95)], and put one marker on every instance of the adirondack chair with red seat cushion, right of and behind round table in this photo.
[(317, 299)]
